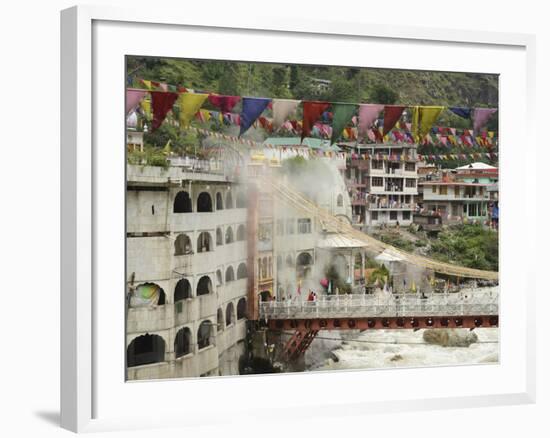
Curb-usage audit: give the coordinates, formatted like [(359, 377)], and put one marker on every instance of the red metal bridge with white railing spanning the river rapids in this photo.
[(465, 309)]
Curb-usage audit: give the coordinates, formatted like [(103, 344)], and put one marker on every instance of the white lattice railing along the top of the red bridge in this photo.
[(364, 306)]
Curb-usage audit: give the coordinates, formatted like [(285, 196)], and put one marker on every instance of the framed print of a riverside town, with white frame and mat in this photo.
[(334, 225)]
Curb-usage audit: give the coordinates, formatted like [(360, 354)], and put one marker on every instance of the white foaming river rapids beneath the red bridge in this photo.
[(397, 348)]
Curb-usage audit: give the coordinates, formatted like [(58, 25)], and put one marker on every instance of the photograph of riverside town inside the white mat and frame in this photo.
[(288, 218)]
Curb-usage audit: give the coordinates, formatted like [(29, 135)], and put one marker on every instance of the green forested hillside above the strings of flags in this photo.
[(347, 84)]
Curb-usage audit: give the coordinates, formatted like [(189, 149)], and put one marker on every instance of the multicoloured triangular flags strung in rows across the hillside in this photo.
[(347, 121)]
